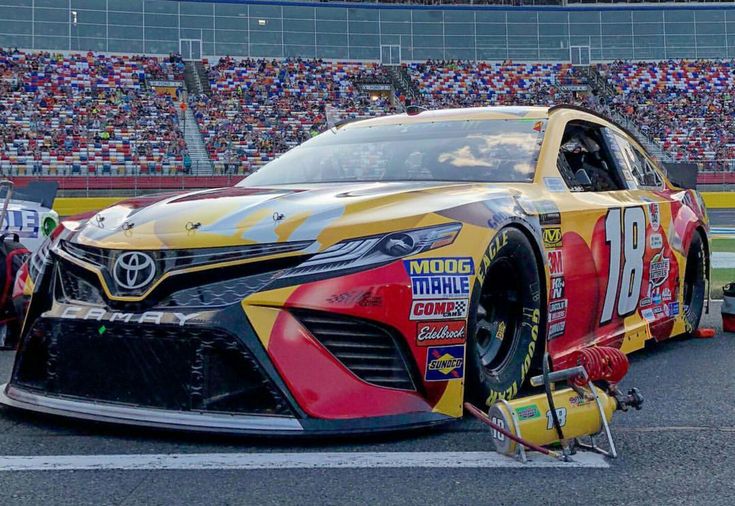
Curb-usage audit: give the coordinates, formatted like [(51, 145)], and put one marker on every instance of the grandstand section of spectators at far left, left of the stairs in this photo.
[(86, 114)]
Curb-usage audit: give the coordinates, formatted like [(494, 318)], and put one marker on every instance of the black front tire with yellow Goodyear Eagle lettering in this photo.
[(505, 318)]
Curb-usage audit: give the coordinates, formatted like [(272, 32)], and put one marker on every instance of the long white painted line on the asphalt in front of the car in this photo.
[(327, 460)]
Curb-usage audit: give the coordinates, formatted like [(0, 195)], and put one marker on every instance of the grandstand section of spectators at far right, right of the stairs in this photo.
[(685, 106)]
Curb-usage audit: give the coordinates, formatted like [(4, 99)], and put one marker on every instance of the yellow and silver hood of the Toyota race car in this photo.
[(323, 213)]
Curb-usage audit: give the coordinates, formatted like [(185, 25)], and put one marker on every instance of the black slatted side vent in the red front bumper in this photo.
[(371, 351)]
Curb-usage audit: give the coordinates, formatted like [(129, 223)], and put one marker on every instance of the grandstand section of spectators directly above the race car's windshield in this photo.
[(260, 108)]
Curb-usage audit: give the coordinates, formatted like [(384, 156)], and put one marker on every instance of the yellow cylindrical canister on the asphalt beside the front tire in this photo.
[(578, 416)]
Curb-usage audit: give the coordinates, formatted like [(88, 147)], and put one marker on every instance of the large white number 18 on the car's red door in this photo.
[(626, 237)]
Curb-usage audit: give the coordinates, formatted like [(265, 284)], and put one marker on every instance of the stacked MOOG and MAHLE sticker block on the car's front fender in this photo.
[(437, 278)]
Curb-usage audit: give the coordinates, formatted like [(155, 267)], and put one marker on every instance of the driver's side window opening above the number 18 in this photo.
[(586, 161)]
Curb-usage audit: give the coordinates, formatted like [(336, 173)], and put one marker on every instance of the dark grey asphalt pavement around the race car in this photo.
[(680, 449)]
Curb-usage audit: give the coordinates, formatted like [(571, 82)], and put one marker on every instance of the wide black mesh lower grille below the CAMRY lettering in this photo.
[(154, 366)]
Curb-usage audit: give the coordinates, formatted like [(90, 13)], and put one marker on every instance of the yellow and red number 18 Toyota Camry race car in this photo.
[(370, 279)]
